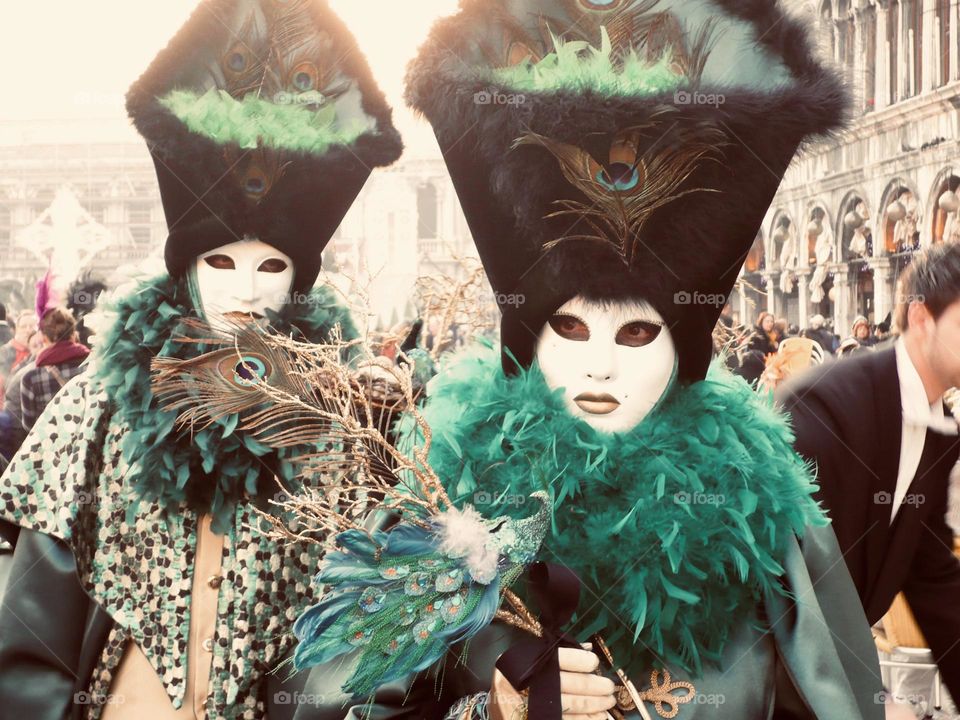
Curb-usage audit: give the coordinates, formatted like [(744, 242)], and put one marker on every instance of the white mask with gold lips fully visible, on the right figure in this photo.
[(614, 361)]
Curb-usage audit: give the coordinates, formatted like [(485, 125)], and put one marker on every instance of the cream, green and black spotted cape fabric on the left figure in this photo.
[(136, 561)]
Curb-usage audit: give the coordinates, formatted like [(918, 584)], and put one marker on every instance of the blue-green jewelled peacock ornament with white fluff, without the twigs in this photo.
[(403, 596)]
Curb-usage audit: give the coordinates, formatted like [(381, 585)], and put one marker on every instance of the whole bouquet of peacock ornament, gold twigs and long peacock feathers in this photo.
[(407, 574)]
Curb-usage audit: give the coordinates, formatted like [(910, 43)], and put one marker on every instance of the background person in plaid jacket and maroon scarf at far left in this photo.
[(60, 360)]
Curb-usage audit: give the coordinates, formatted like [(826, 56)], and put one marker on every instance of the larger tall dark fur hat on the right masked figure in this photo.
[(619, 148)]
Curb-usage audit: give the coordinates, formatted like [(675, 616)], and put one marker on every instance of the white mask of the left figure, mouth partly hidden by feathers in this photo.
[(248, 277)]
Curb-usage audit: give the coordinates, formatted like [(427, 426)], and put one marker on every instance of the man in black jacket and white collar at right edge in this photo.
[(884, 446)]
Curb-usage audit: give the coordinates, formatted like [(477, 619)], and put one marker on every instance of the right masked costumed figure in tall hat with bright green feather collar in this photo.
[(610, 206)]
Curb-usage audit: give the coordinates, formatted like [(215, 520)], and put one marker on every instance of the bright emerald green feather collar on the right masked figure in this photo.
[(675, 528)]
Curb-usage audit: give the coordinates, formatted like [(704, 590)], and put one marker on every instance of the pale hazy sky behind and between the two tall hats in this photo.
[(66, 63)]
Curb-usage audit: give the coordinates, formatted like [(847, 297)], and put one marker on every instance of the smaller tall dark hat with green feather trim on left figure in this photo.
[(264, 122)]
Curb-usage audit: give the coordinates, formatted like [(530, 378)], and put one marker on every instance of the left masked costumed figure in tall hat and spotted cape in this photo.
[(142, 583)]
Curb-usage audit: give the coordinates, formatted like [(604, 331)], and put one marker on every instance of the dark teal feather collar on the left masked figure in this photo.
[(210, 469)]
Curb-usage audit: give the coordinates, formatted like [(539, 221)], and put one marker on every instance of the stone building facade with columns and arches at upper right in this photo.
[(851, 212)]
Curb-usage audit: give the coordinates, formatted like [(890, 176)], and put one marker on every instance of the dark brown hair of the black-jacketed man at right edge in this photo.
[(933, 278)]
